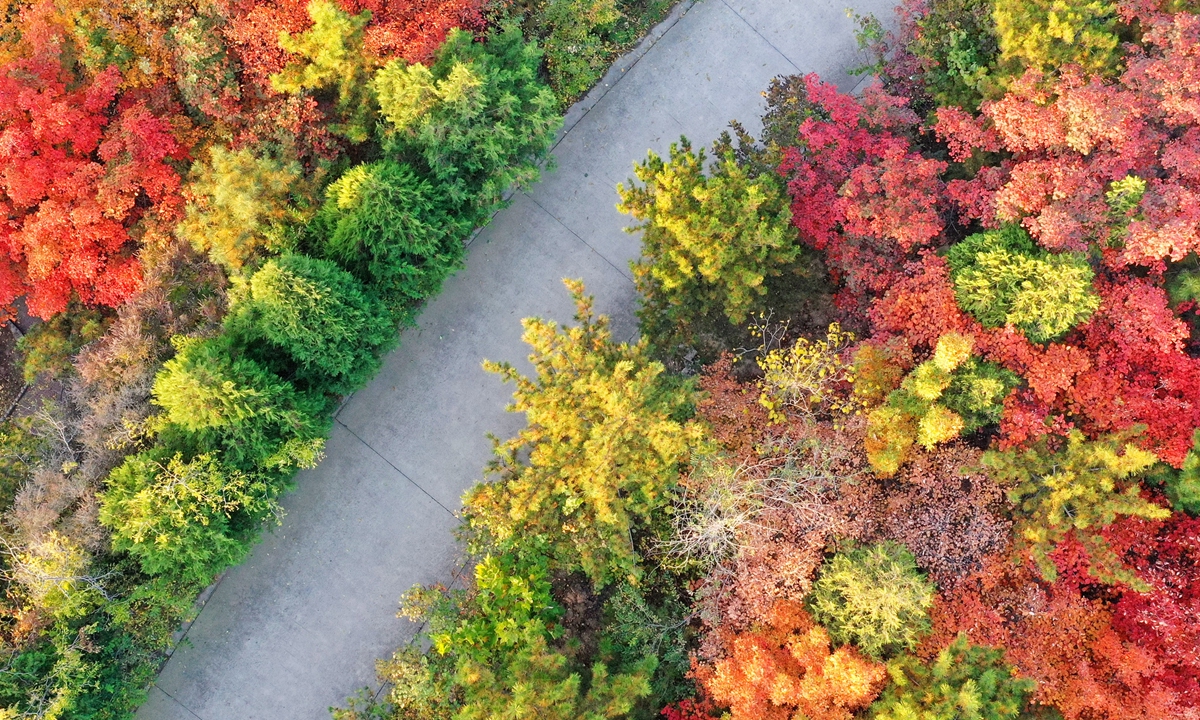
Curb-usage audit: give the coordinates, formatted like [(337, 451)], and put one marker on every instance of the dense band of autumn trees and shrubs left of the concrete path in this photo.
[(219, 214)]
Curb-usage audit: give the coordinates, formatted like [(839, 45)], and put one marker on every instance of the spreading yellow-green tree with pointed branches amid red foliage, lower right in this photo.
[(1077, 490)]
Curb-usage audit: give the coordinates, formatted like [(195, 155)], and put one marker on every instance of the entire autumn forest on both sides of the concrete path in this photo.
[(911, 430)]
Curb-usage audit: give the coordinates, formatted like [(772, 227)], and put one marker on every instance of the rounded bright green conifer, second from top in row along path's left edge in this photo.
[(394, 231)]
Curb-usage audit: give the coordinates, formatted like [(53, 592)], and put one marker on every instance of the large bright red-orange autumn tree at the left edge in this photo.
[(83, 176)]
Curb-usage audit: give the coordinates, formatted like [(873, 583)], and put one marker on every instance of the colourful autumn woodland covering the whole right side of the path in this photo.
[(913, 430)]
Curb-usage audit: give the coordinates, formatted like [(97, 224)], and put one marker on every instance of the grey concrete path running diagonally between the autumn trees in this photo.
[(299, 626)]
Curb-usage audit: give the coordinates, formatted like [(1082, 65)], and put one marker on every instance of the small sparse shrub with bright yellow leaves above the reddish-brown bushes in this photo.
[(811, 377)]
